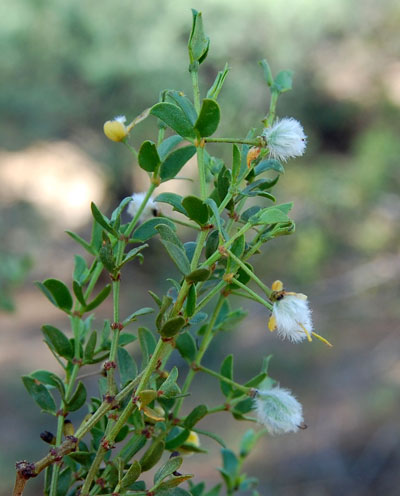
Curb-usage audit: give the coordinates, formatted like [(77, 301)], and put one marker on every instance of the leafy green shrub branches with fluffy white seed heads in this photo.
[(135, 424)]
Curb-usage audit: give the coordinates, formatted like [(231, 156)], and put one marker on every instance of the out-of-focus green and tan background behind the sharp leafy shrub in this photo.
[(66, 67)]
